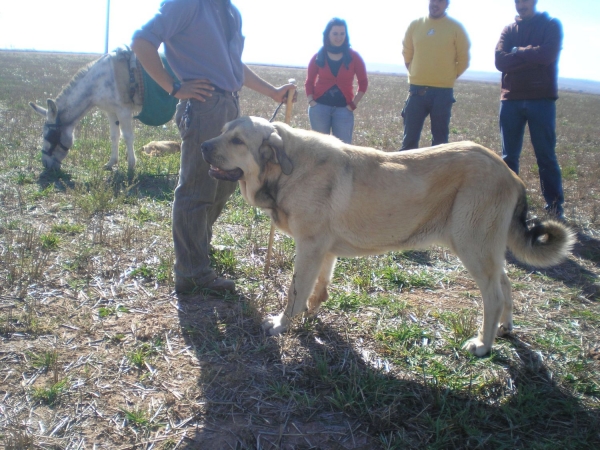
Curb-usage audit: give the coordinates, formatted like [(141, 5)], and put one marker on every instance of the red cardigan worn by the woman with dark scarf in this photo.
[(320, 79)]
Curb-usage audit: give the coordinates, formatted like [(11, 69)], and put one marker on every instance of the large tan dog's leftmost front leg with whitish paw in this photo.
[(309, 260)]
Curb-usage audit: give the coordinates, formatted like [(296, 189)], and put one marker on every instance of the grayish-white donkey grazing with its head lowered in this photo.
[(108, 83)]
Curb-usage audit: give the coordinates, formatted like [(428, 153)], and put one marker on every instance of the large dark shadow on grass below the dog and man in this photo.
[(316, 388)]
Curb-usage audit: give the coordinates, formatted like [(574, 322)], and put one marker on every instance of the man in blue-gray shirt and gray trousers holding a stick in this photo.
[(203, 44)]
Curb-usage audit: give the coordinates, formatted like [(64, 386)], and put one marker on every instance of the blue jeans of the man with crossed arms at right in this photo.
[(540, 115)]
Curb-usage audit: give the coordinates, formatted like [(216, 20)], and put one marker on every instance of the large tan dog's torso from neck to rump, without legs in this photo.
[(404, 199)]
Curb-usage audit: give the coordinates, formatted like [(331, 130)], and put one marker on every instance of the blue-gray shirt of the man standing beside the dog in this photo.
[(196, 43)]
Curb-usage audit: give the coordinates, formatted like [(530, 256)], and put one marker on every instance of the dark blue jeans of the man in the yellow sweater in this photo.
[(426, 101)]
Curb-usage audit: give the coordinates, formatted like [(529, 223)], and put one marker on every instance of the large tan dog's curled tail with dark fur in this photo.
[(545, 244)]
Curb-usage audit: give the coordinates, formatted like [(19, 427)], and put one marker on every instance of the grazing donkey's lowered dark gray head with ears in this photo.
[(58, 137)]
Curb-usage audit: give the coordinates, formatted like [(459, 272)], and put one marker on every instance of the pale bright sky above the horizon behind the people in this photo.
[(286, 32)]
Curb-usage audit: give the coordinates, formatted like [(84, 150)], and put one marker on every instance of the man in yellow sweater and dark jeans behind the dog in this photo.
[(436, 53)]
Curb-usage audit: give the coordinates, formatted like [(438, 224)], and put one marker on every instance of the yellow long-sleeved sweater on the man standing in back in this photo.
[(436, 51)]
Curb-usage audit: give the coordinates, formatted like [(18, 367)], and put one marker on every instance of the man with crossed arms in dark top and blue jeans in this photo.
[(527, 55)]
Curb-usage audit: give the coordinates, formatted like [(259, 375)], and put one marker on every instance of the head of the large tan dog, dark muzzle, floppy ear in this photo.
[(243, 150)]
